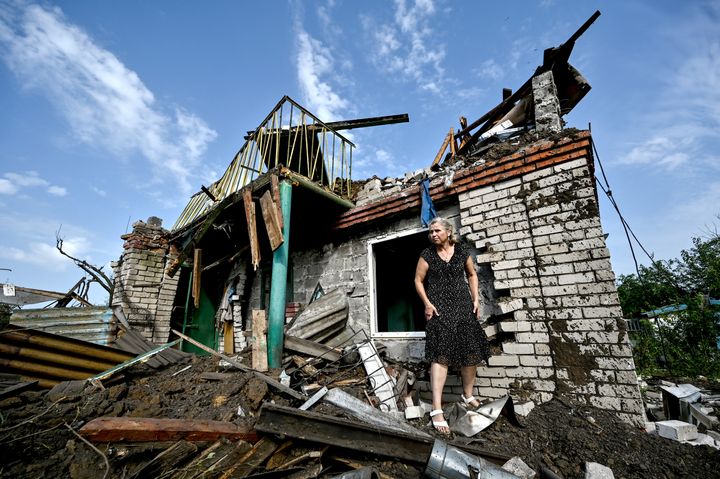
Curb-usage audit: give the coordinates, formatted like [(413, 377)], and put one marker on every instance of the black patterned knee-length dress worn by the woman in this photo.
[(455, 338)]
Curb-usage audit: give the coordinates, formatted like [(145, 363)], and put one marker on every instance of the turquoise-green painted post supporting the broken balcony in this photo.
[(278, 283)]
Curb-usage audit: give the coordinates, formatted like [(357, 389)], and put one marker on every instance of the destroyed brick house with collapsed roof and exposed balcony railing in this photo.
[(286, 243)]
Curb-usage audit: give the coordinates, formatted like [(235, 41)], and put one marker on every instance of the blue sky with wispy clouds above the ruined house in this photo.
[(115, 111)]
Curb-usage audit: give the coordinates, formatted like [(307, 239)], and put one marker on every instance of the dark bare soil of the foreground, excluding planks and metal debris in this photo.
[(36, 440)]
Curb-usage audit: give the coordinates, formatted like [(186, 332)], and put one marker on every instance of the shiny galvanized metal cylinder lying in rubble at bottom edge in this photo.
[(448, 462)]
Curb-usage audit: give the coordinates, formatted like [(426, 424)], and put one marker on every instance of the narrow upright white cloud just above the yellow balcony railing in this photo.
[(314, 63)]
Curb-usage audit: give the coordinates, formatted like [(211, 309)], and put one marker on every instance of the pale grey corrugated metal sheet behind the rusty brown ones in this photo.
[(95, 325)]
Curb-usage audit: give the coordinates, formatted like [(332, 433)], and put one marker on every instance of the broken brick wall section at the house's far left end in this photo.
[(142, 289)]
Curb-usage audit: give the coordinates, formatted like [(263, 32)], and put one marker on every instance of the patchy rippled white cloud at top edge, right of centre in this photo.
[(407, 46)]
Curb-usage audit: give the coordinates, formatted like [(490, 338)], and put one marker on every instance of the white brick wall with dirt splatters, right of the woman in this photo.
[(563, 328)]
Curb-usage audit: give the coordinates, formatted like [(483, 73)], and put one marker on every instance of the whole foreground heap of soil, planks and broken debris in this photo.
[(209, 419)]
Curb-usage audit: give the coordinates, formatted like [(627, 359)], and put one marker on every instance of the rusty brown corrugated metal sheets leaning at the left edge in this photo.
[(50, 358)]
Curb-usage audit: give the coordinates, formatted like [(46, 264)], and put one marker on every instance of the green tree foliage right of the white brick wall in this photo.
[(683, 342)]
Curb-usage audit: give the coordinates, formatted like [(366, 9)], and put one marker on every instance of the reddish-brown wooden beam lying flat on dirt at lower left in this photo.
[(134, 429)]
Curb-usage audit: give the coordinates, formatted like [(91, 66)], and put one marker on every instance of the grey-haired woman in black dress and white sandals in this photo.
[(446, 281)]
